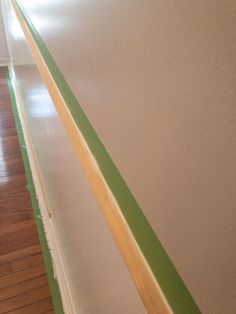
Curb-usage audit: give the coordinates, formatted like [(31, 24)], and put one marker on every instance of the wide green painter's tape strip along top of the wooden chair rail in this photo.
[(163, 269)]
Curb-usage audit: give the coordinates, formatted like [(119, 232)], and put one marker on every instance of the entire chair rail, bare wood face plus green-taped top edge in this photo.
[(147, 260)]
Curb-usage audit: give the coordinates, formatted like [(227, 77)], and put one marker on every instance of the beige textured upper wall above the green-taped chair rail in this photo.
[(157, 81)]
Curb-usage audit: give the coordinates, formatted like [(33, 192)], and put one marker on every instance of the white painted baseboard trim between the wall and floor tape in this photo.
[(57, 259)]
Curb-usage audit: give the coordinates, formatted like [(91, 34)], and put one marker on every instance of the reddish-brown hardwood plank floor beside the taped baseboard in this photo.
[(23, 281)]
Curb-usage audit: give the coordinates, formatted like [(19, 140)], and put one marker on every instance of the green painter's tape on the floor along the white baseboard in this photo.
[(56, 297)]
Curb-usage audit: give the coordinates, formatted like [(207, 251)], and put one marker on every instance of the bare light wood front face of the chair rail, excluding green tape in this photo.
[(146, 284)]
